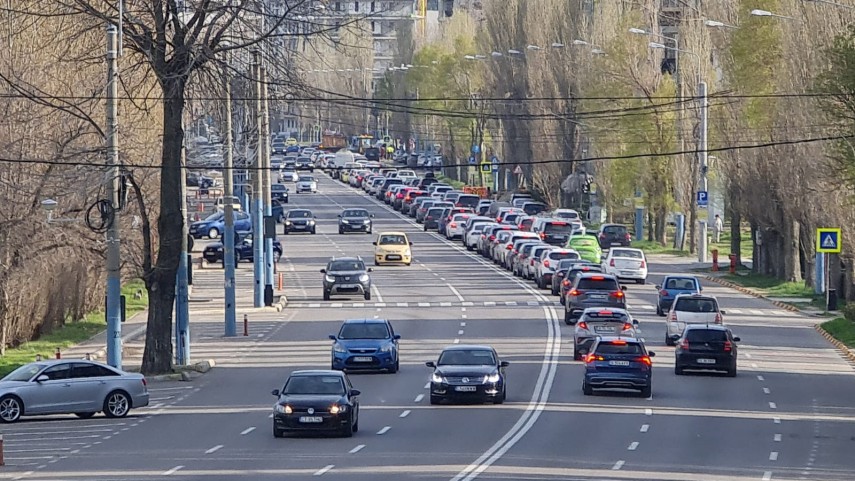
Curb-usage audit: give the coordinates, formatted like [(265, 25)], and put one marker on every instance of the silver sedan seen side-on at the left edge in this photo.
[(75, 387)]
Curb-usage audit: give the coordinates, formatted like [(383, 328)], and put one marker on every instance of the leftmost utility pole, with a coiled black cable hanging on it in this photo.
[(114, 278)]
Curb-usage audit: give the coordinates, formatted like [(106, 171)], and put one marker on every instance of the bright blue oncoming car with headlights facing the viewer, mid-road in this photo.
[(365, 344)]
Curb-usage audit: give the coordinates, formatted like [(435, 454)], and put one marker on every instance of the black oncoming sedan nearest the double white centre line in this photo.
[(468, 373)]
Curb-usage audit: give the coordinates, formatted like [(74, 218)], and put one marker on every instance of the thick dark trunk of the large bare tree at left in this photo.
[(160, 283)]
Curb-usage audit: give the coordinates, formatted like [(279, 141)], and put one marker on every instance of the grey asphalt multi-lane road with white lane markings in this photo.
[(787, 415)]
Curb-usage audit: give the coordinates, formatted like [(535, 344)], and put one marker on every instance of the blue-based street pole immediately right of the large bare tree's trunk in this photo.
[(182, 301)]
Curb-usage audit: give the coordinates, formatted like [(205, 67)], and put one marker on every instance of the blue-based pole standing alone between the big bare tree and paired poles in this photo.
[(229, 231)]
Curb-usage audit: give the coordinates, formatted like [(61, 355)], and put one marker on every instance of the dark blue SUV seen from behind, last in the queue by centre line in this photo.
[(618, 362)]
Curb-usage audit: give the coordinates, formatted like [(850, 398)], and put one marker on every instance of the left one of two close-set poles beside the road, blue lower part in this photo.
[(257, 196)]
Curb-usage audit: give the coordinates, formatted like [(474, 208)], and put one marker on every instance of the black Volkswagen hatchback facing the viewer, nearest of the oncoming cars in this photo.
[(317, 400)]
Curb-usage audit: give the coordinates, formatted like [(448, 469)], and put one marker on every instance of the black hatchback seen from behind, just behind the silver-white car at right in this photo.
[(706, 347)]
